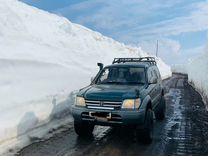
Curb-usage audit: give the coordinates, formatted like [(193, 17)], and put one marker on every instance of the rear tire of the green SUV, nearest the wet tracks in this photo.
[(160, 113)]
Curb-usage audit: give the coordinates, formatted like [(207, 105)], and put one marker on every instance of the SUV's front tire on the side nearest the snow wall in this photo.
[(83, 129)]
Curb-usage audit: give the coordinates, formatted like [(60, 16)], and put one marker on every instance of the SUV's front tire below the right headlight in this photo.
[(146, 134)]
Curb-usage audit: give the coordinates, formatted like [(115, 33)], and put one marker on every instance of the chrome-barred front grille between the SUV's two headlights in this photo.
[(106, 105)]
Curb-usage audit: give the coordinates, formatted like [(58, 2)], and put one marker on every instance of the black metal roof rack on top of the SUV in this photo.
[(150, 60)]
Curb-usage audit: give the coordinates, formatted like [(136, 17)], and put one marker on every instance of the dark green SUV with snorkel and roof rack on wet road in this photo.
[(128, 93)]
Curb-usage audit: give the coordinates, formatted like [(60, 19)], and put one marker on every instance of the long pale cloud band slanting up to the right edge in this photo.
[(193, 22)]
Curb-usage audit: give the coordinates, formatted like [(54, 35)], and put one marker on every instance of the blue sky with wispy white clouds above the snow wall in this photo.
[(179, 26)]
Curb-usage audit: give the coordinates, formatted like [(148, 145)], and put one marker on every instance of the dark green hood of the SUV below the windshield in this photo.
[(111, 92)]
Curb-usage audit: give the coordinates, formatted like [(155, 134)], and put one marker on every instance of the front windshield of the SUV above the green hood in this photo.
[(122, 75)]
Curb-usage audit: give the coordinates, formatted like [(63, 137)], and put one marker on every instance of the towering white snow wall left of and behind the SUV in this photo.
[(43, 58)]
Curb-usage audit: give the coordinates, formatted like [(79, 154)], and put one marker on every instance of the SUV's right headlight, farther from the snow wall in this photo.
[(131, 104)]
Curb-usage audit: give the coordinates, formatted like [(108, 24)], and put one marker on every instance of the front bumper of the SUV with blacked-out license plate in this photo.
[(117, 117)]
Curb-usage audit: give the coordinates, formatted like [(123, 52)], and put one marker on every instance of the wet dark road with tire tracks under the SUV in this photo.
[(183, 132)]
